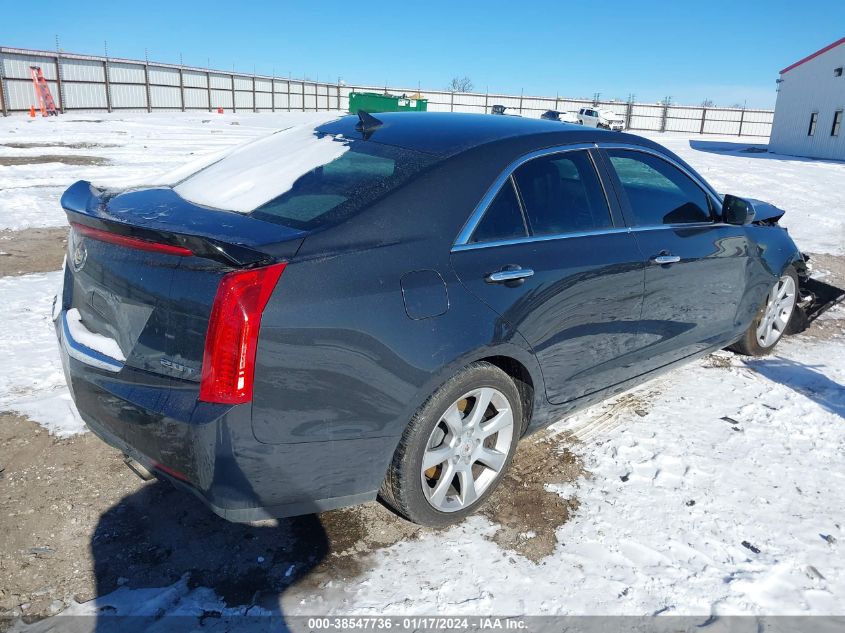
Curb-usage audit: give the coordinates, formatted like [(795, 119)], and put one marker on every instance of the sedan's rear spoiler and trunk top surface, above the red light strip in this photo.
[(226, 237)]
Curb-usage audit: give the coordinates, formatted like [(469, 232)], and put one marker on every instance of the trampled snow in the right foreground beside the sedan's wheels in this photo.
[(723, 495)]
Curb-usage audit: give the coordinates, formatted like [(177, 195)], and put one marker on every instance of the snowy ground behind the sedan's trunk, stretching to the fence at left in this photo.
[(135, 146)]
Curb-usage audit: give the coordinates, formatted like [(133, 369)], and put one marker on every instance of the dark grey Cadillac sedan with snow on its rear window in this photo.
[(383, 307)]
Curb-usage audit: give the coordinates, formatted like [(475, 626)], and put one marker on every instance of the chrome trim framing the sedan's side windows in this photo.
[(462, 242)]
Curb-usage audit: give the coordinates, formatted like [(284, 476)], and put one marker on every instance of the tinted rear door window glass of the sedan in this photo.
[(562, 194)]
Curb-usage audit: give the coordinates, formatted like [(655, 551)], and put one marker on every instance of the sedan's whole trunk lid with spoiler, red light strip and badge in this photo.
[(143, 270)]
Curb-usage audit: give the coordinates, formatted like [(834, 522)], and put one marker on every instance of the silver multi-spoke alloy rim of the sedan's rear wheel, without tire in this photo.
[(467, 449)]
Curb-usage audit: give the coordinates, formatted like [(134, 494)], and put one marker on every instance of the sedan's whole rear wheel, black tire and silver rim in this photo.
[(456, 448)]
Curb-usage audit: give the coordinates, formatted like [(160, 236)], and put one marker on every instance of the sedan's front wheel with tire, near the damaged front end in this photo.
[(774, 318)]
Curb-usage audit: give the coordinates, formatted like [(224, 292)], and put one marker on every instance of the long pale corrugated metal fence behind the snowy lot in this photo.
[(89, 82)]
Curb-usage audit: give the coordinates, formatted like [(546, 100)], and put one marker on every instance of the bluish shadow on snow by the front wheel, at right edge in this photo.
[(803, 378)]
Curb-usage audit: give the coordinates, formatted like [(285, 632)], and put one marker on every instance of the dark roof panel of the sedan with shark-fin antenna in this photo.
[(447, 133)]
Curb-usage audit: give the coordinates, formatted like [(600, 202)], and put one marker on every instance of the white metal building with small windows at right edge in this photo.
[(809, 111)]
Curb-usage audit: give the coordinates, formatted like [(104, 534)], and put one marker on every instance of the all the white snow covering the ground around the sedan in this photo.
[(720, 493)]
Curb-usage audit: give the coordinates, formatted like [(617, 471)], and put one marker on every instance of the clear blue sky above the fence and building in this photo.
[(727, 52)]
